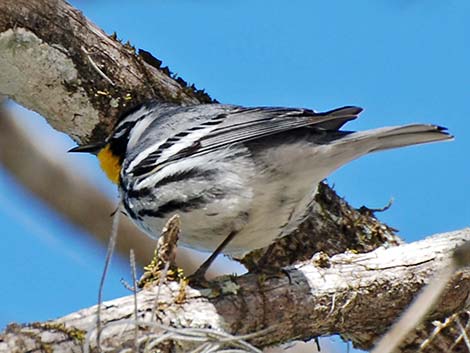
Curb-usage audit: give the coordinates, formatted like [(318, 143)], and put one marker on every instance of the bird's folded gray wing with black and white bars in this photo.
[(238, 125)]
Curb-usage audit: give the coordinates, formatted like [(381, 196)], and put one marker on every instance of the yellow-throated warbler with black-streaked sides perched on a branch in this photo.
[(237, 176)]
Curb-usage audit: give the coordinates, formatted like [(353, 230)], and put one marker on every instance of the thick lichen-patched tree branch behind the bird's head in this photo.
[(56, 62)]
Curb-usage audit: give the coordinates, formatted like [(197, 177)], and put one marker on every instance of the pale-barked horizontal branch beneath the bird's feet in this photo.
[(355, 295)]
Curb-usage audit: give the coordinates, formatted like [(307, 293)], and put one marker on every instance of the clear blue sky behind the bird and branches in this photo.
[(403, 61)]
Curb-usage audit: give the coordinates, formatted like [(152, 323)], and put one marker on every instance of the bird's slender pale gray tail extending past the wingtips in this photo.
[(400, 136)]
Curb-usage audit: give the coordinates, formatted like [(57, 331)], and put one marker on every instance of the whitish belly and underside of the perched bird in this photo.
[(261, 201)]
